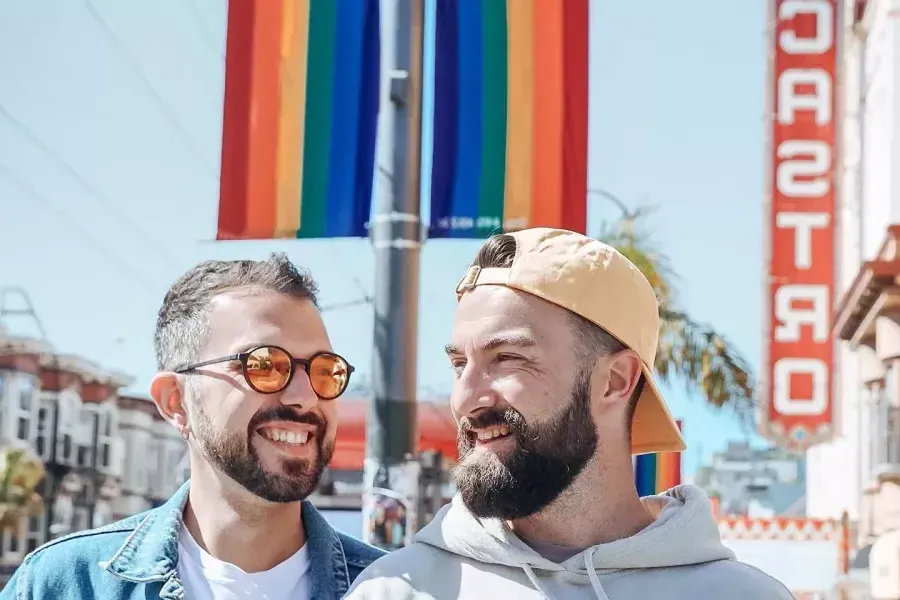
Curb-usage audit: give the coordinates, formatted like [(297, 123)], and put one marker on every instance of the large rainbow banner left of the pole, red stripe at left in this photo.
[(300, 118)]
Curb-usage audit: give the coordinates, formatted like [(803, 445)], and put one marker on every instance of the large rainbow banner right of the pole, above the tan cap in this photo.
[(510, 116)]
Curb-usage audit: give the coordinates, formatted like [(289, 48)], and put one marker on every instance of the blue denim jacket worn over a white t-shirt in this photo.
[(137, 558)]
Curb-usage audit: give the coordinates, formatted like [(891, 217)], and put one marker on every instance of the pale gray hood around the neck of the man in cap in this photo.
[(684, 533)]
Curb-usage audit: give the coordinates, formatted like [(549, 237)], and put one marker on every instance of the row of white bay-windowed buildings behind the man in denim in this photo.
[(106, 456)]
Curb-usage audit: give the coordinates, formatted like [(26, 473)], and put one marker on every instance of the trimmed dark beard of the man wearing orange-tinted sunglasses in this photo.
[(234, 455)]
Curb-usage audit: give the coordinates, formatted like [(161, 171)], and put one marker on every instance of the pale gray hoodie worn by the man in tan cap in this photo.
[(678, 556)]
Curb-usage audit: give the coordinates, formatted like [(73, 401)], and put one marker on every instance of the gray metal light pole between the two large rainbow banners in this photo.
[(391, 472)]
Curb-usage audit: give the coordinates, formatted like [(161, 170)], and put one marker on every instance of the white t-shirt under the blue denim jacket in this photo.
[(208, 578)]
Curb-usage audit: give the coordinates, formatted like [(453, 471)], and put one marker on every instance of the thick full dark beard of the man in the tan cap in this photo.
[(545, 461)]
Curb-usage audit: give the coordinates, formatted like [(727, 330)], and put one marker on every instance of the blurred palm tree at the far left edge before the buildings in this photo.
[(20, 473)]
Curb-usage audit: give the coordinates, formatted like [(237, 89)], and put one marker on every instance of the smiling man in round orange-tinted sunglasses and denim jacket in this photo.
[(248, 376)]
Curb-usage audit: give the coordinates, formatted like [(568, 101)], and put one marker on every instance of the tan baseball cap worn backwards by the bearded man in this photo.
[(597, 282)]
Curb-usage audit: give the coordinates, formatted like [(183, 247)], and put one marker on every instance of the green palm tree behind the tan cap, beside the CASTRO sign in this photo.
[(689, 349)]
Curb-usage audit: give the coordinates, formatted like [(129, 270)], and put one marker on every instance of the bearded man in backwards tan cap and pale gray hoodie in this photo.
[(553, 343)]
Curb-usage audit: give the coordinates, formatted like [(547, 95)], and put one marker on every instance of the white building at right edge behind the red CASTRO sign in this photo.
[(860, 471)]
